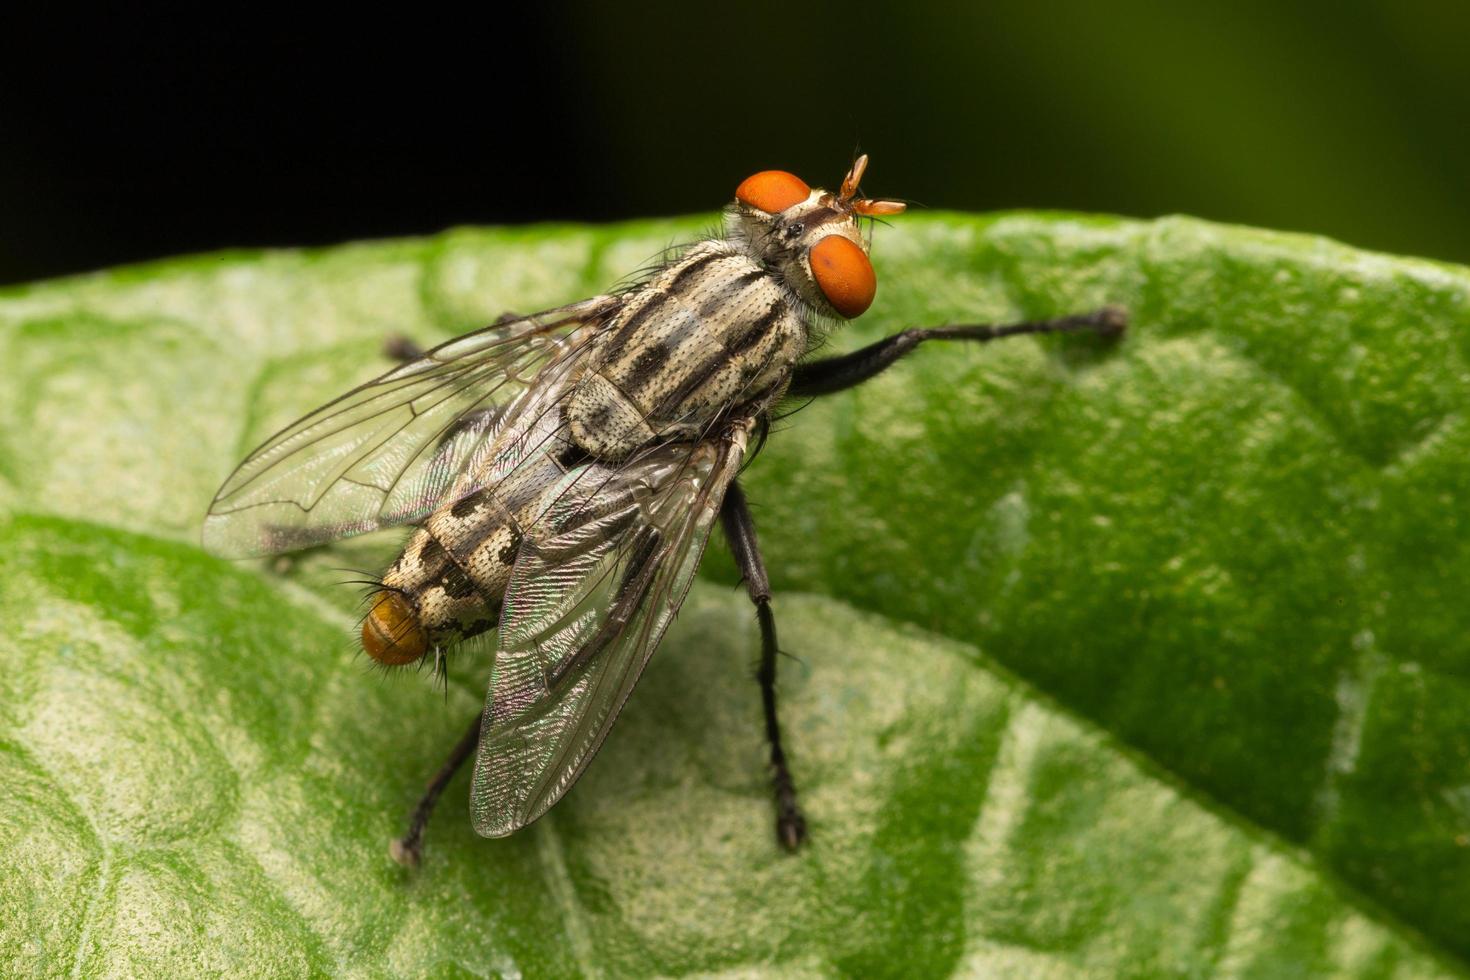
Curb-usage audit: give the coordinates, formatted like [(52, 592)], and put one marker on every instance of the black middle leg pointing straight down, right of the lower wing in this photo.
[(740, 531)]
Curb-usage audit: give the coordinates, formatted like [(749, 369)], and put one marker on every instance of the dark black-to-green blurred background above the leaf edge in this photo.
[(146, 134)]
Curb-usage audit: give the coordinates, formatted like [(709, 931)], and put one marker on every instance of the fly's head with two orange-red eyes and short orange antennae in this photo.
[(812, 237)]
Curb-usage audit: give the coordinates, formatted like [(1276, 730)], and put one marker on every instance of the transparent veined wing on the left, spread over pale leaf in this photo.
[(387, 453)]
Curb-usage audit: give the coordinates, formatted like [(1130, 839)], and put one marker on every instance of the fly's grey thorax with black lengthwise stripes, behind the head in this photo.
[(709, 333)]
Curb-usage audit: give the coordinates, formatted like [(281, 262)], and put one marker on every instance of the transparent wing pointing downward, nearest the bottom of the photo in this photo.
[(599, 578)]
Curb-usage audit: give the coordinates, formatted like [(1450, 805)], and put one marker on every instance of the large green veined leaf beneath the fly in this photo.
[(1139, 659)]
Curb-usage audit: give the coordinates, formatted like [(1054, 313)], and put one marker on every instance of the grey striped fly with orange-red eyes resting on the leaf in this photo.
[(564, 471)]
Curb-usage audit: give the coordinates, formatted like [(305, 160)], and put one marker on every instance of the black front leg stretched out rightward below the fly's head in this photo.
[(839, 374)]
